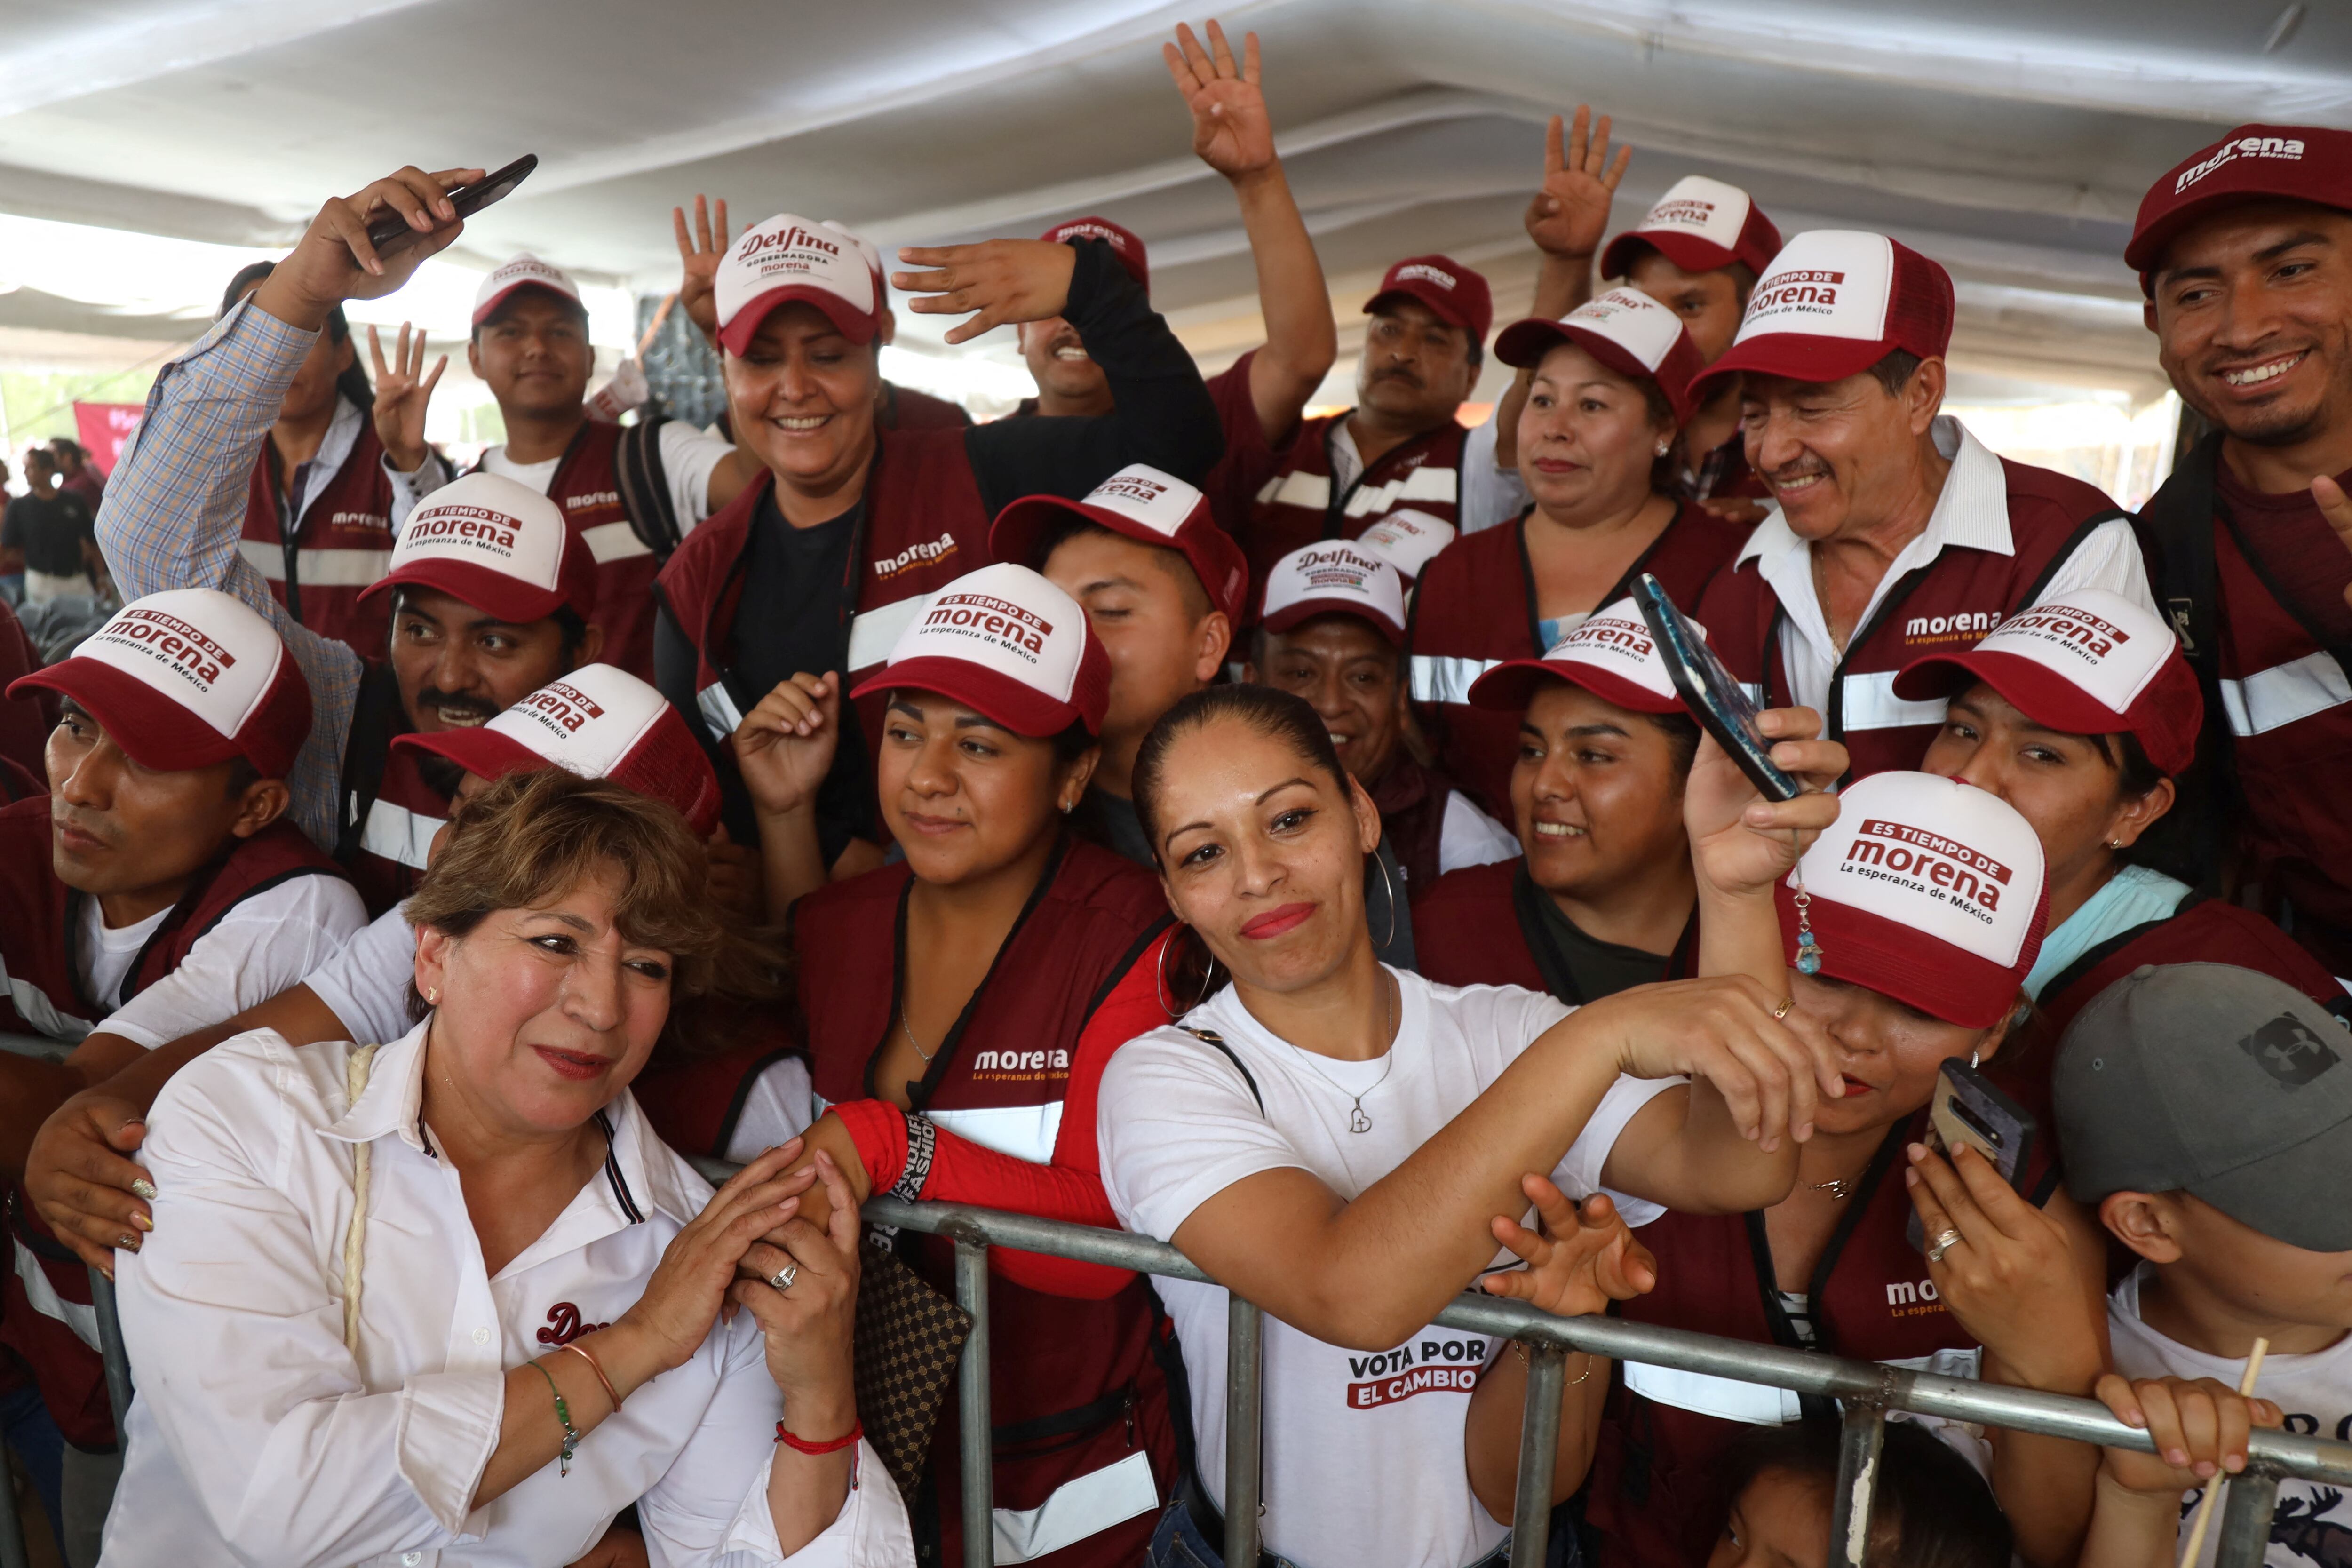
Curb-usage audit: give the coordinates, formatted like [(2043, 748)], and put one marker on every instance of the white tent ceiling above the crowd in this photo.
[(2005, 138)]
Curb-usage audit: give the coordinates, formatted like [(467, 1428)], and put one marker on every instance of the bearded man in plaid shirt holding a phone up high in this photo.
[(493, 589)]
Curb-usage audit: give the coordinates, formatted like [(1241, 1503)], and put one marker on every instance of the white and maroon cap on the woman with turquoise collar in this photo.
[(2087, 664)]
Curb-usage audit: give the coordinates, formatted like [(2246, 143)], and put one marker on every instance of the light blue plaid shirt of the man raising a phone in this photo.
[(175, 511)]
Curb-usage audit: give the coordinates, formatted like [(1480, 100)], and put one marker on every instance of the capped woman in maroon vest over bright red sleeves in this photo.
[(958, 1012)]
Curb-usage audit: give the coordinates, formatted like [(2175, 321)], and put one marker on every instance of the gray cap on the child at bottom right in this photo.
[(2219, 1083)]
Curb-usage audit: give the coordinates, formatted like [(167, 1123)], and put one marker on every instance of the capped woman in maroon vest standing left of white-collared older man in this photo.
[(1610, 391)]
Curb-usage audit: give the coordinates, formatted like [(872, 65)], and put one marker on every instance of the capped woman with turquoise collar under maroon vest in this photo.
[(2080, 713)]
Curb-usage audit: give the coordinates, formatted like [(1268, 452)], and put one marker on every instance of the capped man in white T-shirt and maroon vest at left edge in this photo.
[(156, 885)]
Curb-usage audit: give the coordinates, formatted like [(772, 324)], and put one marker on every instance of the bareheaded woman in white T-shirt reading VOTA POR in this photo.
[(1330, 1137)]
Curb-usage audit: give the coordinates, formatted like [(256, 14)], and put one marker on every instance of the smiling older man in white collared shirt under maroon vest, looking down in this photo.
[(1895, 532)]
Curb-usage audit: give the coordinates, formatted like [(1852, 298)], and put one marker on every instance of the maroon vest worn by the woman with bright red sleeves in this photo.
[(1074, 1381)]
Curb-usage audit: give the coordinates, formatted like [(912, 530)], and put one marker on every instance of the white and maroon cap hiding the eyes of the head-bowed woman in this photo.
[(1930, 892)]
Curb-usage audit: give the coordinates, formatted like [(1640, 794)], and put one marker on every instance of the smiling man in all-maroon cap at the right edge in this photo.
[(2245, 253)]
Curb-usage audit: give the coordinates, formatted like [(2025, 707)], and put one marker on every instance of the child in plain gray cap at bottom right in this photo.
[(2205, 1111)]
